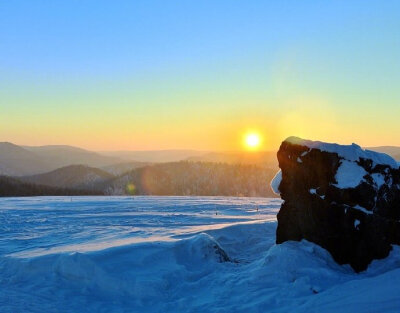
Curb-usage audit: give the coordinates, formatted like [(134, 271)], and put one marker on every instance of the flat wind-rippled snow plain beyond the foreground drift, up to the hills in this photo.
[(44, 225)]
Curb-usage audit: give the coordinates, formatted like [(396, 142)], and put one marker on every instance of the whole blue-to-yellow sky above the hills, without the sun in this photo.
[(135, 75)]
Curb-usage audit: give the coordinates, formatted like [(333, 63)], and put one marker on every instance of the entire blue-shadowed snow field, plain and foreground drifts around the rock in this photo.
[(164, 254)]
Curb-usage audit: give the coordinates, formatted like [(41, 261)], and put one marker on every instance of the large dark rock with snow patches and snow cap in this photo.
[(343, 198)]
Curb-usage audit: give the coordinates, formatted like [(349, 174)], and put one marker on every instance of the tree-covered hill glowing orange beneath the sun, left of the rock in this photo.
[(195, 178)]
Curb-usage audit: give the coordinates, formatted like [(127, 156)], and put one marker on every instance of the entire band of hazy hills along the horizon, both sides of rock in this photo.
[(57, 170)]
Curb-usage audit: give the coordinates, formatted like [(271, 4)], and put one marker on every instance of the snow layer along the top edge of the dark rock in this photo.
[(351, 152)]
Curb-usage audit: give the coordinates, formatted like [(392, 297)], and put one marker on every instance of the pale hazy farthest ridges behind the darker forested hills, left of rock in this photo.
[(28, 160)]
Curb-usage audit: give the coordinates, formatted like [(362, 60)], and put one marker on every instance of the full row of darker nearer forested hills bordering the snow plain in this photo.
[(175, 178)]
